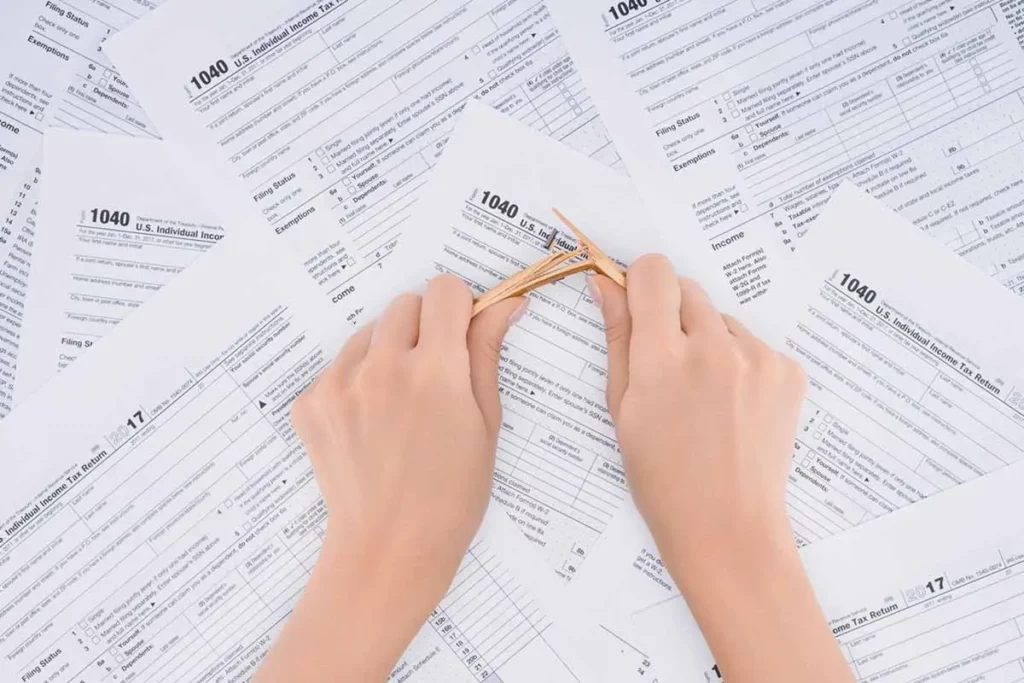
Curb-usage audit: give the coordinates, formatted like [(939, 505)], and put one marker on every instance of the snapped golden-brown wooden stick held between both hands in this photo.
[(552, 269)]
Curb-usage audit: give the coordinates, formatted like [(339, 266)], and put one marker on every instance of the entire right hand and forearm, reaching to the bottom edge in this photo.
[(707, 417)]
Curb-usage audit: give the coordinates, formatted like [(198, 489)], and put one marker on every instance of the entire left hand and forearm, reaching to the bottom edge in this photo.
[(402, 432)]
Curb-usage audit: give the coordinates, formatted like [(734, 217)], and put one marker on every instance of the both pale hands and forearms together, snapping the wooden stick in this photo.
[(402, 433)]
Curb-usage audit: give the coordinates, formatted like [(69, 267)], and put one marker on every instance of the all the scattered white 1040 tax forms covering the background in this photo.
[(159, 519)]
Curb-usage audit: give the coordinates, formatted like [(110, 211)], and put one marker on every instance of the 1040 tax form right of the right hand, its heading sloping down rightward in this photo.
[(912, 356)]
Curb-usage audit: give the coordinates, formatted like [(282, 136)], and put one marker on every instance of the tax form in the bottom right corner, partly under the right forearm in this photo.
[(931, 593)]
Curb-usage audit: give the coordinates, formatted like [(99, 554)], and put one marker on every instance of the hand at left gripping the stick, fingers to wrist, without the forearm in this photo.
[(402, 432)]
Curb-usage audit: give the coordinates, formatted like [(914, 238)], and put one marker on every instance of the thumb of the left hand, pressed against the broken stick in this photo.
[(487, 332)]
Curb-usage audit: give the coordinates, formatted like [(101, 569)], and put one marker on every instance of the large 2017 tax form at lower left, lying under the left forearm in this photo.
[(165, 531)]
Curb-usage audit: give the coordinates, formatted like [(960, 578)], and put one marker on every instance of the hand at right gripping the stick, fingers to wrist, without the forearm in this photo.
[(706, 416)]
